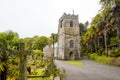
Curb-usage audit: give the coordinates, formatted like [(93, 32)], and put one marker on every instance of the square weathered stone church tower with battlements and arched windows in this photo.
[(68, 37)]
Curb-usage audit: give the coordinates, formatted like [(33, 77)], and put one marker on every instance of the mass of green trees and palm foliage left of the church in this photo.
[(11, 52)]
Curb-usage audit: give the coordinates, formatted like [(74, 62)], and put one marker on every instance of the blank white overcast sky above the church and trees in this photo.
[(40, 17)]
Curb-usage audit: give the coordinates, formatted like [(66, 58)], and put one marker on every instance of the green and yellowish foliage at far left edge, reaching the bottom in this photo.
[(8, 44)]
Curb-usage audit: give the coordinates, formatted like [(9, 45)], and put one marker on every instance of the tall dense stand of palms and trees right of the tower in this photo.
[(103, 35)]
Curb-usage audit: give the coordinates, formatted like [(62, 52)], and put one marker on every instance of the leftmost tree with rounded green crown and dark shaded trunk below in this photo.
[(7, 41)]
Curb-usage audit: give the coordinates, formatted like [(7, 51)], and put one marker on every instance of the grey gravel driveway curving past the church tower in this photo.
[(91, 71)]
